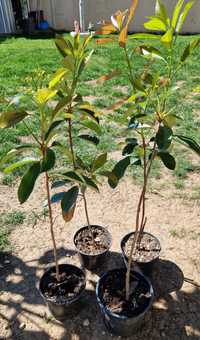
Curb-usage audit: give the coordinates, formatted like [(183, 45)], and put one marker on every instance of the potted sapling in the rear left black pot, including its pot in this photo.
[(91, 241)]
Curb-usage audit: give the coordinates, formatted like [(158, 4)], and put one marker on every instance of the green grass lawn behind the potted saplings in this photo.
[(24, 58)]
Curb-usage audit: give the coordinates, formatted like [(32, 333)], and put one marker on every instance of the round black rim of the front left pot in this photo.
[(67, 301)]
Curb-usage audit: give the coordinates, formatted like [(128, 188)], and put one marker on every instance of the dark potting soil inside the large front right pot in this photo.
[(114, 295)]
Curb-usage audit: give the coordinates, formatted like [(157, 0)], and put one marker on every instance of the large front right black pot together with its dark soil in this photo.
[(120, 316)]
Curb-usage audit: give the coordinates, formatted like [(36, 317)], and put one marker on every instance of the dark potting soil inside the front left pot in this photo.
[(69, 286)]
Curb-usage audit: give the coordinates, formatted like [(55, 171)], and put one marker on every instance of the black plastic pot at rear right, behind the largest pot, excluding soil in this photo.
[(145, 267)]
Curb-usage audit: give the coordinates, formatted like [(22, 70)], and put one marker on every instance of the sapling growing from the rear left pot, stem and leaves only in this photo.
[(78, 115)]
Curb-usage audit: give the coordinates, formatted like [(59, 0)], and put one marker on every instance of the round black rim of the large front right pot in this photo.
[(123, 317)]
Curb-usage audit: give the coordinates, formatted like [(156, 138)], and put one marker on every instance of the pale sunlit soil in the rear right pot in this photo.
[(148, 250)]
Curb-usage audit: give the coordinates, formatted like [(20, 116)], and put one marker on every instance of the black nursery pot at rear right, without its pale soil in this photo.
[(145, 266)]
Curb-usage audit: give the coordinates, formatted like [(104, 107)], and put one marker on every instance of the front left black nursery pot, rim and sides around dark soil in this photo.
[(63, 307)]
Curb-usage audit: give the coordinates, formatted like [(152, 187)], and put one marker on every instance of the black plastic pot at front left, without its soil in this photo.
[(68, 307)]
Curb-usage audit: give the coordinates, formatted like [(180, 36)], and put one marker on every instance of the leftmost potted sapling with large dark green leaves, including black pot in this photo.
[(62, 285)]
